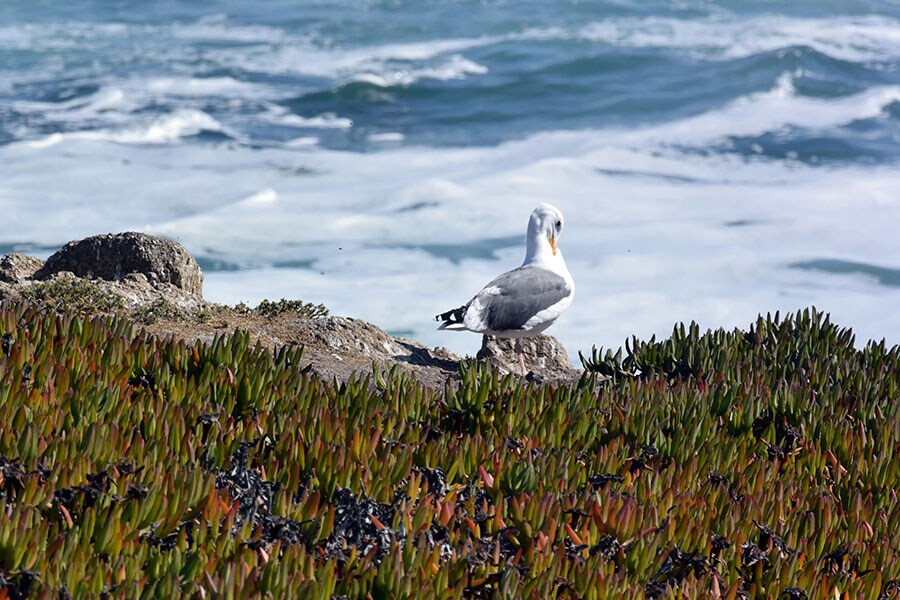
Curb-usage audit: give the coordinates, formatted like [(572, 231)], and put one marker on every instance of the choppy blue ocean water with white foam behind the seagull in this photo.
[(714, 160)]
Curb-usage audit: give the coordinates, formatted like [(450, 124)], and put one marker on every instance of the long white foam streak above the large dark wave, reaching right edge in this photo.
[(721, 36)]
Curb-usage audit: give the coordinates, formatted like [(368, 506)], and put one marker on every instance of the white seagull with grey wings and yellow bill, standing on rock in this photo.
[(527, 300)]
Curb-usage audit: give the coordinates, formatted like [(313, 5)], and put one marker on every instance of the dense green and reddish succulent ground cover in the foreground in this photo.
[(743, 464)]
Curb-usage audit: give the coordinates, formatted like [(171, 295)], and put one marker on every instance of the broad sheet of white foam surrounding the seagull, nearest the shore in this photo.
[(646, 250)]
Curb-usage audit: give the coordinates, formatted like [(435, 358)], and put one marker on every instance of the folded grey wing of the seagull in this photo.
[(521, 294)]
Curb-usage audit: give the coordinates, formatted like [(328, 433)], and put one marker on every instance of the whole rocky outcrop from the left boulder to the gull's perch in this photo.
[(158, 284)]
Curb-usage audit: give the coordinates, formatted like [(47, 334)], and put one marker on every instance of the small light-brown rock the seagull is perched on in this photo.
[(542, 353)]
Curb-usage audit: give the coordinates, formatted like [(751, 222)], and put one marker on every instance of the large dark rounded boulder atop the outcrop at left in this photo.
[(114, 256)]
